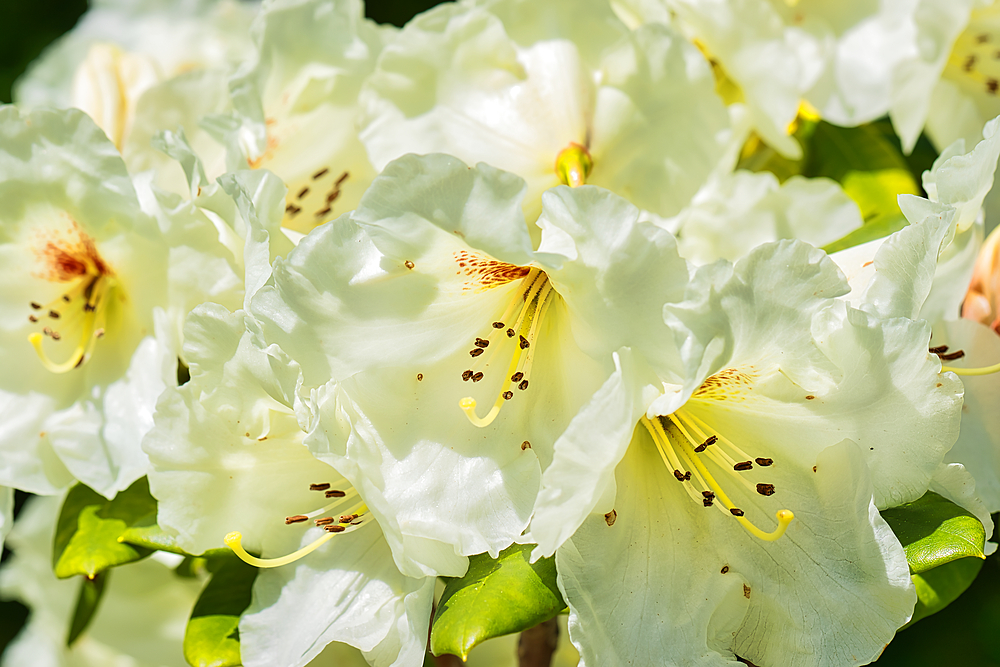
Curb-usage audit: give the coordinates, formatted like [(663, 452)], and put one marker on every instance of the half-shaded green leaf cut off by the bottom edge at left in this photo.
[(212, 637)]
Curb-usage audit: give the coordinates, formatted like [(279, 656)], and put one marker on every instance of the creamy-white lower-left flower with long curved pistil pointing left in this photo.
[(228, 463)]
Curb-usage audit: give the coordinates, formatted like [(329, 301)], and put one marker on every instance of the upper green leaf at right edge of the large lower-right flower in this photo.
[(935, 531)]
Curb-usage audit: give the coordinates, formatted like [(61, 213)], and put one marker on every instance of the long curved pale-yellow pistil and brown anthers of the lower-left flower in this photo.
[(353, 515)]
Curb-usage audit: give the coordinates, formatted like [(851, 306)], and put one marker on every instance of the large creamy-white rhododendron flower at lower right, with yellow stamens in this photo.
[(760, 478)]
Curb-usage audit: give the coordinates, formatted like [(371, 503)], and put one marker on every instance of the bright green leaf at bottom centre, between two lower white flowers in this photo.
[(494, 598)]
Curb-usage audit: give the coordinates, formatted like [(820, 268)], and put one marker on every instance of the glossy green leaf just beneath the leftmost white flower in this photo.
[(90, 526)]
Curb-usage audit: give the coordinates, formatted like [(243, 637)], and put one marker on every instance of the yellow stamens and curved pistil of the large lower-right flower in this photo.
[(691, 453)]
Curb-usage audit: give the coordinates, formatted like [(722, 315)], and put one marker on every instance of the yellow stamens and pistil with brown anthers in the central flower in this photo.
[(514, 333)]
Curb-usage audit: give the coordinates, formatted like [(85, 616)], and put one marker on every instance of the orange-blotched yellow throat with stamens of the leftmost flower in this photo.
[(78, 317)]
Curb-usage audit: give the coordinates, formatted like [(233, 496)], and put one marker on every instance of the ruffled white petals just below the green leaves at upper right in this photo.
[(740, 211)]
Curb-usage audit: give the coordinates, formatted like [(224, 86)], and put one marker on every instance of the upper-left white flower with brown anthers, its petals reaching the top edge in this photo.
[(296, 103)]
